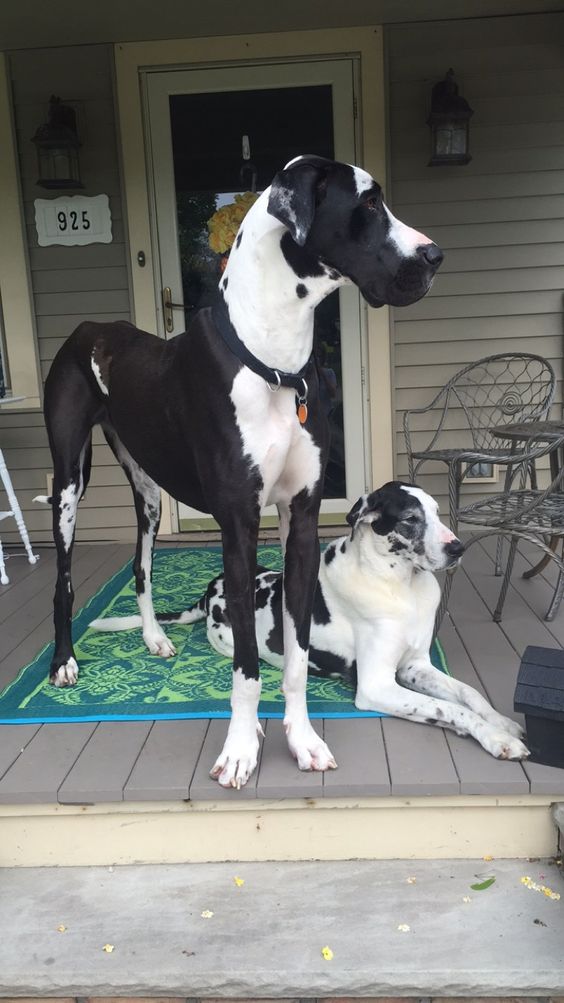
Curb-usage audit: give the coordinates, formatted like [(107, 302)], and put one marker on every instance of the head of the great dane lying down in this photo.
[(404, 521)]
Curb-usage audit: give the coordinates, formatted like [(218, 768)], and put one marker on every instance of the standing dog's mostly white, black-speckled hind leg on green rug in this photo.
[(147, 499)]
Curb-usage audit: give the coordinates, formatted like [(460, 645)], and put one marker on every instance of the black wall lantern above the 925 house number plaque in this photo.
[(58, 146)]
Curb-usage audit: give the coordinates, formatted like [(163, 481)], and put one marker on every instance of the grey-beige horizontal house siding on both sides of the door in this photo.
[(499, 219)]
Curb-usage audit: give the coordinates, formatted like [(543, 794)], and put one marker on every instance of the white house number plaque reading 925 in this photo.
[(76, 219)]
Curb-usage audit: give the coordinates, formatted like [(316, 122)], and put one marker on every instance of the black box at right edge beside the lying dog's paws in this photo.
[(539, 696)]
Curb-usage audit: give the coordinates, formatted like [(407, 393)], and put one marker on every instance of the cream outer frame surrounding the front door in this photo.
[(132, 59)]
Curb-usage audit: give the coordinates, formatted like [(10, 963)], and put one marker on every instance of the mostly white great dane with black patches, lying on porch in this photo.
[(374, 617)]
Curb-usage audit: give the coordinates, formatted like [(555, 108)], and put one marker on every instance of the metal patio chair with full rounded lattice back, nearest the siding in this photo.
[(510, 387)]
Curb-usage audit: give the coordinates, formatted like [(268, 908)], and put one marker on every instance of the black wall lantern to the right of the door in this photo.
[(449, 122)]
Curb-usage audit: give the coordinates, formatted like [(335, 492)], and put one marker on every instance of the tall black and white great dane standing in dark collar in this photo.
[(212, 418)]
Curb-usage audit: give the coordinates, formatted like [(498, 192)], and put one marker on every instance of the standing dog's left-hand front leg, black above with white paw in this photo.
[(240, 754)]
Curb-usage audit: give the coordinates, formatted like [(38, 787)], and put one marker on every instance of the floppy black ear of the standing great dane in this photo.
[(295, 194)]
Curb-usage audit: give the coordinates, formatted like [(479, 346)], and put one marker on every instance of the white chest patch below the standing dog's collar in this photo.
[(273, 440)]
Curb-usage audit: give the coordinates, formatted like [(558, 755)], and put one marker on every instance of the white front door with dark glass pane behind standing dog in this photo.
[(200, 124)]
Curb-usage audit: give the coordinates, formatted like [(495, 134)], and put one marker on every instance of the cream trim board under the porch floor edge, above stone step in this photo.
[(291, 830)]
